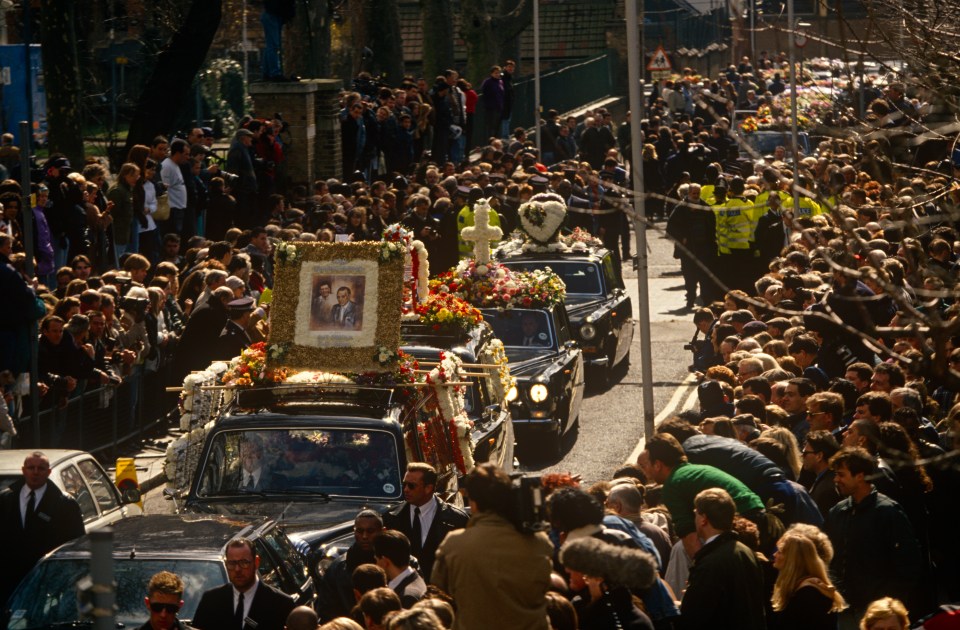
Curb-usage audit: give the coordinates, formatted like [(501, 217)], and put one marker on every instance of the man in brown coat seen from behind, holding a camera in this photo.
[(491, 565)]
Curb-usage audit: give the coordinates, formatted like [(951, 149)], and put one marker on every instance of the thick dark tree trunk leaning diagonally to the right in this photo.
[(172, 78)]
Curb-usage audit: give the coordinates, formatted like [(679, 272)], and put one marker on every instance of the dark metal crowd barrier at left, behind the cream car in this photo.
[(101, 419)]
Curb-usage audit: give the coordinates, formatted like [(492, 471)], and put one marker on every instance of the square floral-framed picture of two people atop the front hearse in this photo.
[(334, 306)]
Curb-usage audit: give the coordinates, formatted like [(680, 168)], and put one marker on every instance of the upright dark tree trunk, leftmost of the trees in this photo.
[(61, 78)]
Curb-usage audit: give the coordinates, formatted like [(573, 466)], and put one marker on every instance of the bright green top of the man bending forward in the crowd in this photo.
[(688, 480)]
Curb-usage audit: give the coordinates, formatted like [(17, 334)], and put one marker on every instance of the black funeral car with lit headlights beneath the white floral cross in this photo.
[(549, 370)]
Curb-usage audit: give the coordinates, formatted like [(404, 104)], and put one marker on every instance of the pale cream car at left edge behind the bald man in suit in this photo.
[(80, 475)]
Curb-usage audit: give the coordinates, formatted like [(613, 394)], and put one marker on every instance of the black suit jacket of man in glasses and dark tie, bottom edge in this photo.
[(269, 609)]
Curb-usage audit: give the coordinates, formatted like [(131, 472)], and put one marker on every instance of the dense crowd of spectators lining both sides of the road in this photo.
[(814, 487)]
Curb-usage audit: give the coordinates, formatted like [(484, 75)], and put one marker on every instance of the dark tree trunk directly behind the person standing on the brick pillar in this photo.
[(307, 45)]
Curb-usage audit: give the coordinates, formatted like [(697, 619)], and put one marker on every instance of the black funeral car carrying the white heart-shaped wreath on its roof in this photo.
[(600, 311)]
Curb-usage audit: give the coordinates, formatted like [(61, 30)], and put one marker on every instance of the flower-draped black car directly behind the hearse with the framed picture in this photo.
[(492, 432)]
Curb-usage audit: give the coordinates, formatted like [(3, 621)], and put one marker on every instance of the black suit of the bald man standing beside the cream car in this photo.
[(57, 519)]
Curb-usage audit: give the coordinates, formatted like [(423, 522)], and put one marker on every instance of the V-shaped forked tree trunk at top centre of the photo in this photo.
[(487, 35)]
